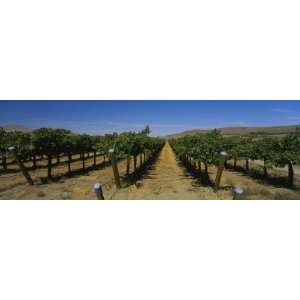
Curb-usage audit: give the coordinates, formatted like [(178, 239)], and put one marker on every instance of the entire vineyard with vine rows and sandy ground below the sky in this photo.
[(58, 164)]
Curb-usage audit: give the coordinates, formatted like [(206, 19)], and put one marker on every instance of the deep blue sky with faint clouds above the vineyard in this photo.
[(163, 117)]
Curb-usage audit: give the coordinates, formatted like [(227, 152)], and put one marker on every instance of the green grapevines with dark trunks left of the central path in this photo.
[(50, 144)]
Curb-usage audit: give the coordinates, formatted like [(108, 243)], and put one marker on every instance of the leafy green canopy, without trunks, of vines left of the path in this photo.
[(52, 142)]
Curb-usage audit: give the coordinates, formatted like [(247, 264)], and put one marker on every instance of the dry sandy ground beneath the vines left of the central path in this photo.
[(79, 186)]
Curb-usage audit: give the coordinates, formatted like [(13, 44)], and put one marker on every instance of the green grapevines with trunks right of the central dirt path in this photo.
[(205, 149)]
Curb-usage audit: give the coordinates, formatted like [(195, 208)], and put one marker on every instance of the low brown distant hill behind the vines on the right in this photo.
[(243, 131)]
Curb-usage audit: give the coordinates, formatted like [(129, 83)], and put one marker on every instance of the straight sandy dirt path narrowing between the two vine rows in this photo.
[(168, 180)]
